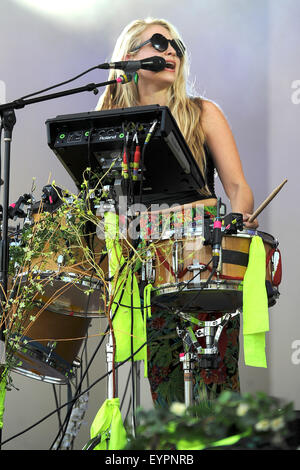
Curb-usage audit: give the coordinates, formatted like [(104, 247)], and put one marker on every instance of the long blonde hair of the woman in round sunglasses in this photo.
[(185, 109)]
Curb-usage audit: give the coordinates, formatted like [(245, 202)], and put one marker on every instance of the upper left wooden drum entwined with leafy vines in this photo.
[(60, 263)]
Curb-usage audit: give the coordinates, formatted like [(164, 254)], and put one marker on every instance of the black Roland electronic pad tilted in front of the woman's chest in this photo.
[(165, 171)]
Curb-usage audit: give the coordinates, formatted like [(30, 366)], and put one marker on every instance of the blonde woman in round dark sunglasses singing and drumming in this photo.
[(210, 139)]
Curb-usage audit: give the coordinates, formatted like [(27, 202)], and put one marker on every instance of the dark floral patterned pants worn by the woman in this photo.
[(165, 369)]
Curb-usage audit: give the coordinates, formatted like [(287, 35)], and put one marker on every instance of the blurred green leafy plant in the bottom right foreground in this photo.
[(231, 421)]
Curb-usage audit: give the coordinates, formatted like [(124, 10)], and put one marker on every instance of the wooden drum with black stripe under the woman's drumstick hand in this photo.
[(179, 270)]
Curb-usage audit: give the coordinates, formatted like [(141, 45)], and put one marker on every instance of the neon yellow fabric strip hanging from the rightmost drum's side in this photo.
[(255, 306)]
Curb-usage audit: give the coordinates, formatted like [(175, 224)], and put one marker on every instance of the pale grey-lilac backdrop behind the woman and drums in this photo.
[(243, 56)]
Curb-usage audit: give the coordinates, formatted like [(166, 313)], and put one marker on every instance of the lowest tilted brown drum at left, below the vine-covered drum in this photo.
[(49, 346)]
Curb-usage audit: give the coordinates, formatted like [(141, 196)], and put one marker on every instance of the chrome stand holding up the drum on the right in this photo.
[(194, 354)]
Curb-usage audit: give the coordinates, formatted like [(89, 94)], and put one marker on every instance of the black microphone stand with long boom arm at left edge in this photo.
[(8, 119)]
